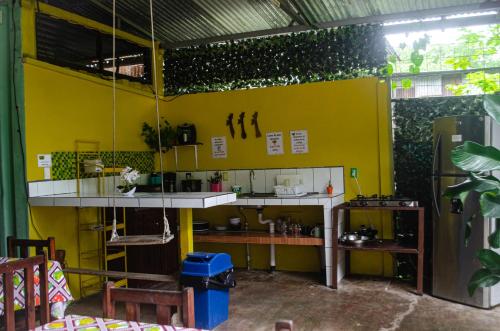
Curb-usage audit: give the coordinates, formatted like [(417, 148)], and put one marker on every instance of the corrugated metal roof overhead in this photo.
[(180, 21)]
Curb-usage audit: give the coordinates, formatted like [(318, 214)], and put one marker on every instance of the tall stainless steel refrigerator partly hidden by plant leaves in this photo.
[(453, 262)]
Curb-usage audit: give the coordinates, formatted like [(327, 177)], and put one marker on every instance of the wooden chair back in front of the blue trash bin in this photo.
[(164, 301)]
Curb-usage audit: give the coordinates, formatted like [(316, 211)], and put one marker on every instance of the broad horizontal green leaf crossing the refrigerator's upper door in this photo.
[(472, 156)]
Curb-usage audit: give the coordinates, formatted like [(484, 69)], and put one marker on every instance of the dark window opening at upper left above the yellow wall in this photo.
[(69, 45)]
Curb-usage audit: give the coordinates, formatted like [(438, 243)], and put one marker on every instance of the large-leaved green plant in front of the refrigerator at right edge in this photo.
[(480, 161)]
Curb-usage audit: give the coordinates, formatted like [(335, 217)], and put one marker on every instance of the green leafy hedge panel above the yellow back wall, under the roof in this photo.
[(323, 55)]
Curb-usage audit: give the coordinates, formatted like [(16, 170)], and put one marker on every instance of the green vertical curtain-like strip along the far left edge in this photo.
[(13, 189)]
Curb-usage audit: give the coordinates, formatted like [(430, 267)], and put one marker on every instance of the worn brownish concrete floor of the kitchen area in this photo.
[(360, 304)]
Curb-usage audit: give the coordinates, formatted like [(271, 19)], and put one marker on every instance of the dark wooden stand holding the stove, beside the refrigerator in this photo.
[(385, 245)]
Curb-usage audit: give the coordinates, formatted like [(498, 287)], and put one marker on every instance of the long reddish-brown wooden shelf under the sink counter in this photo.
[(261, 238)]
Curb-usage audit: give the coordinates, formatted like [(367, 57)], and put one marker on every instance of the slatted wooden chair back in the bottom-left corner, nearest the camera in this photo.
[(7, 271)]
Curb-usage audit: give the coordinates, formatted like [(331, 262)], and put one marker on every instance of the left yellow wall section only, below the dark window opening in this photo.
[(62, 106)]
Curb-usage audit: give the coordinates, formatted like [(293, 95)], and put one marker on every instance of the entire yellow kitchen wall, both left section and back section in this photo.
[(348, 124)]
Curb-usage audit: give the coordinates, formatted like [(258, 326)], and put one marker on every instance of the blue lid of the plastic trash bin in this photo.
[(203, 264)]
